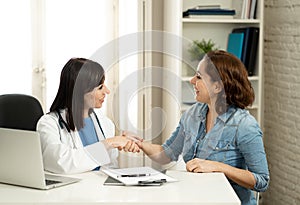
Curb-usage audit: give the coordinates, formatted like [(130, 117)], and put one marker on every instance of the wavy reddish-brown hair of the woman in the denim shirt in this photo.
[(234, 77)]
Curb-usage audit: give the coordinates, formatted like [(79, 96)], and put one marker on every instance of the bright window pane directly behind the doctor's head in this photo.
[(74, 28)]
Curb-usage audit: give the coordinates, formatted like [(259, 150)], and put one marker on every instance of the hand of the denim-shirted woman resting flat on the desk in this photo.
[(201, 165)]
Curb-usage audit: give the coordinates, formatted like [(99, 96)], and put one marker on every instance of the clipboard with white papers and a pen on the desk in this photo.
[(138, 176)]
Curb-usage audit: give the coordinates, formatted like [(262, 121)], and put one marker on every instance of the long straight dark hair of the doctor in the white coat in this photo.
[(78, 77)]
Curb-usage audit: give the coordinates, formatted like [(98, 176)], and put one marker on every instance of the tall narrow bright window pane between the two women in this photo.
[(128, 65)]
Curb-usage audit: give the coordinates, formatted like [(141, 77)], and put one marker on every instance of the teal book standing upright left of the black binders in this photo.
[(235, 44)]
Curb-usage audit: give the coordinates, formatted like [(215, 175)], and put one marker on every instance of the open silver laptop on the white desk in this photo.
[(21, 161)]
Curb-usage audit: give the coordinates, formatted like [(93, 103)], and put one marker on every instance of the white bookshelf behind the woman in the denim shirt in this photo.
[(216, 29)]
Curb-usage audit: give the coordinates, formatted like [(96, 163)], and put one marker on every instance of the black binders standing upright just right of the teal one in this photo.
[(250, 44)]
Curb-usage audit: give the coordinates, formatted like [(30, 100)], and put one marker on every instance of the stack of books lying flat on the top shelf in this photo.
[(208, 11)]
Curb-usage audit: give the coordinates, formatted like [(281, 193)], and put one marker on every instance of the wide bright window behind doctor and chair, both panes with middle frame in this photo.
[(38, 34)]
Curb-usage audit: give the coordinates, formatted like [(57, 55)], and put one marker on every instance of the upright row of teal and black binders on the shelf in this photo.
[(243, 42)]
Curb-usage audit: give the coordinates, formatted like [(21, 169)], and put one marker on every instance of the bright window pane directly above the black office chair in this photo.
[(15, 50)]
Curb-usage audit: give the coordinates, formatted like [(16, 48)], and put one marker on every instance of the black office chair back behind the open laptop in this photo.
[(19, 111)]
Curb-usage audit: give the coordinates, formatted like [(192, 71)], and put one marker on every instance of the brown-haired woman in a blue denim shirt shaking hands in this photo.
[(217, 134)]
